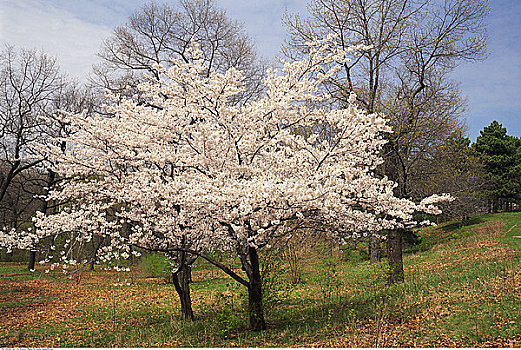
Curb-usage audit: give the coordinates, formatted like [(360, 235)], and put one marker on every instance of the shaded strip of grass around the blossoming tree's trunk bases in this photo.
[(222, 323)]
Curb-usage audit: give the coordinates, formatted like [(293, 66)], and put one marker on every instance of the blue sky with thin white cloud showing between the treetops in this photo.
[(73, 30)]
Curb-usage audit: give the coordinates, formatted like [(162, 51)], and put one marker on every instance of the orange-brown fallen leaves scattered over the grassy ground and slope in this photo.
[(148, 302)]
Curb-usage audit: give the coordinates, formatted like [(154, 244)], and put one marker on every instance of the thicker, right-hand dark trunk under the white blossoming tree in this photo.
[(256, 311)]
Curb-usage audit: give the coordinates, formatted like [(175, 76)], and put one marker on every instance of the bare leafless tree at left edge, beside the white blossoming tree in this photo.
[(32, 91)]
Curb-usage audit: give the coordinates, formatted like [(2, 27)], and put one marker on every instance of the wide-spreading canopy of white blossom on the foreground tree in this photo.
[(192, 168)]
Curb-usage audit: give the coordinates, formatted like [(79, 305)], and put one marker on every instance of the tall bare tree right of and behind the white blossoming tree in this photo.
[(408, 49)]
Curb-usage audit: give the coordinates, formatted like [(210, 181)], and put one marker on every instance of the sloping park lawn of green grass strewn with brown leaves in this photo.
[(462, 289)]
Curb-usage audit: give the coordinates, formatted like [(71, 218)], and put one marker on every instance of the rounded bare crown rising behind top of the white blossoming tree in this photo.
[(158, 32)]
